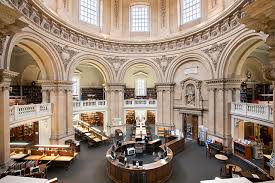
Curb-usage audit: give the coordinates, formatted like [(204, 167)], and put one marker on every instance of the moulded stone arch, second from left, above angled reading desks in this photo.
[(98, 62)]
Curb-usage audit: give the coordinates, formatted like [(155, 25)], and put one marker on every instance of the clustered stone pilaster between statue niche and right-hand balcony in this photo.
[(221, 94)]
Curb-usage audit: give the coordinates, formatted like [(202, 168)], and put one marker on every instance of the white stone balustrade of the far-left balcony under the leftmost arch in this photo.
[(19, 113)]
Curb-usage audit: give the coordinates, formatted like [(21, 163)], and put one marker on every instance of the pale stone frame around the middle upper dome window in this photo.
[(148, 18)]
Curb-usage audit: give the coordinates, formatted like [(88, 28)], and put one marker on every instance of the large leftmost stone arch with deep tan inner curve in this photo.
[(43, 53)]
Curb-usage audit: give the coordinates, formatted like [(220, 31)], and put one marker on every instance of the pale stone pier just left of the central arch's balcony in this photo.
[(114, 93)]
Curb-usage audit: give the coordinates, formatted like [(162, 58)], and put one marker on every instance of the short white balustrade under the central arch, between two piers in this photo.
[(140, 103)]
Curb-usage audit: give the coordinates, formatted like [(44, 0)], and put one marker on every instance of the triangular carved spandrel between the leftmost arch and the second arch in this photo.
[(65, 53)]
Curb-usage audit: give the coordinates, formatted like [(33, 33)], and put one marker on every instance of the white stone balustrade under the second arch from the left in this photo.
[(89, 105)]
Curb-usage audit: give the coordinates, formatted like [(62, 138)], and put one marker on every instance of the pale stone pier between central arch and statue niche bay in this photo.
[(165, 103)]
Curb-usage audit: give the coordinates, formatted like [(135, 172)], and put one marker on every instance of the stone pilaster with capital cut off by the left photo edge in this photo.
[(5, 80)]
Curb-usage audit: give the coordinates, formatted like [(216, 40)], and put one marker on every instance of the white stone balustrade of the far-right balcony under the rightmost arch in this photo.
[(254, 111)]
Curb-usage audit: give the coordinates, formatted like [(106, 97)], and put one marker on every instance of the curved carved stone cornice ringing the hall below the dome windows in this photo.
[(35, 12)]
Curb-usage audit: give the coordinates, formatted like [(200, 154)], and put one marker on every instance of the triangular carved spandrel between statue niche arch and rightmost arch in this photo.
[(214, 52)]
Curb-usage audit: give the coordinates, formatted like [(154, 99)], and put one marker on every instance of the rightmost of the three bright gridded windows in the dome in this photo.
[(190, 10)]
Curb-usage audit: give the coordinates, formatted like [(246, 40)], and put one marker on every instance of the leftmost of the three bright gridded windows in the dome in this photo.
[(89, 11)]
